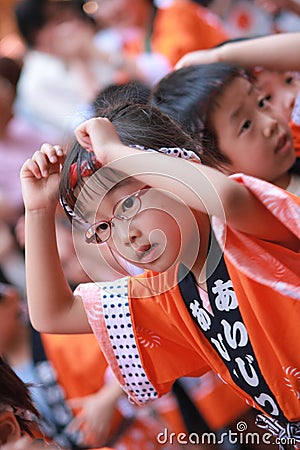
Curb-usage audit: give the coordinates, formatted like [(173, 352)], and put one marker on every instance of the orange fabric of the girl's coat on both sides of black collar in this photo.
[(266, 280)]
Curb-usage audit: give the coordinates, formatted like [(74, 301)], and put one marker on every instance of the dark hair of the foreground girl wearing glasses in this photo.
[(136, 124)]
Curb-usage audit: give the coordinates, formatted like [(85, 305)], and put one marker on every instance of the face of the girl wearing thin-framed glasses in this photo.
[(158, 235)]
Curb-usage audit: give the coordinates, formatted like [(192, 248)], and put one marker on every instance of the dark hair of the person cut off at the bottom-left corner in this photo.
[(15, 394)]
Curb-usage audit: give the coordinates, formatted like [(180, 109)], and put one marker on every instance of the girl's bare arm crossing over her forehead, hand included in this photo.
[(202, 188)]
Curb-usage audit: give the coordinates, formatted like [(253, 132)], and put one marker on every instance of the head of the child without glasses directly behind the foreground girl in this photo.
[(234, 124)]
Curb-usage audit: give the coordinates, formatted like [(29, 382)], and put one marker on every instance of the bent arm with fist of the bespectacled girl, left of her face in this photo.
[(52, 307)]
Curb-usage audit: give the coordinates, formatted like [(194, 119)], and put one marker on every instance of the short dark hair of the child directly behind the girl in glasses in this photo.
[(189, 95)]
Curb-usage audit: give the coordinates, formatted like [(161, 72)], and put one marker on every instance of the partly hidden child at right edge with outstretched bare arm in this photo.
[(277, 55)]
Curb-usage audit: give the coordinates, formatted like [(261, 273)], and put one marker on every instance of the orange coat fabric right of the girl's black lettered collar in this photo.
[(273, 322)]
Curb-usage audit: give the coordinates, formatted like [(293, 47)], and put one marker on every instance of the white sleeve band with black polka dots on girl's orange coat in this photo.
[(117, 317)]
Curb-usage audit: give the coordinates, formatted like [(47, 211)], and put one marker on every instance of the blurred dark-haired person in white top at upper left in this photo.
[(63, 67)]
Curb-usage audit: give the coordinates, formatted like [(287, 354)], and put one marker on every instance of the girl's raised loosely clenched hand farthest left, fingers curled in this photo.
[(40, 178)]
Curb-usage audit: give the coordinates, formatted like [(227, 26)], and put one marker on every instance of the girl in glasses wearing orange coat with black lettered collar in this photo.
[(192, 309)]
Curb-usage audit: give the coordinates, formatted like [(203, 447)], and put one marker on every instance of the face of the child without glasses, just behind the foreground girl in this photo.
[(255, 138)]
